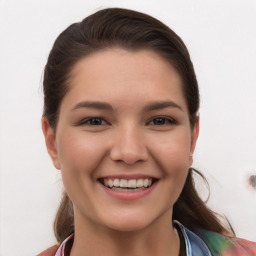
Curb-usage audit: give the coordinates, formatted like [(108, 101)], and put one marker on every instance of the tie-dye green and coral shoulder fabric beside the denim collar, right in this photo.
[(224, 245)]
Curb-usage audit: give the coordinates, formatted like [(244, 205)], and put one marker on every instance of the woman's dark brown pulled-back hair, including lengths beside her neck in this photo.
[(132, 31)]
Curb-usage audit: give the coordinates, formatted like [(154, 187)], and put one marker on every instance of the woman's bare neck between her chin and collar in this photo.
[(159, 238)]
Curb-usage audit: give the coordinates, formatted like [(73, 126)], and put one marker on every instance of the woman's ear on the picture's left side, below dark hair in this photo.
[(50, 141)]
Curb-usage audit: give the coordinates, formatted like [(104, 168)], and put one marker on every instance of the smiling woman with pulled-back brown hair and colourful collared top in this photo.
[(120, 122)]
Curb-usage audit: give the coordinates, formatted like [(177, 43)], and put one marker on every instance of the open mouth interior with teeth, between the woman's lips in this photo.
[(128, 185)]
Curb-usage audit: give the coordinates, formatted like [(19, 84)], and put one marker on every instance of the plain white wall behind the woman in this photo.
[(221, 37)]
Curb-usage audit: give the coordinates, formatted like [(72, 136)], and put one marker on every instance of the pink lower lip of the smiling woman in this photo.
[(129, 195)]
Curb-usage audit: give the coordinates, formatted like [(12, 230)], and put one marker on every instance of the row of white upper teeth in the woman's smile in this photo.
[(124, 183)]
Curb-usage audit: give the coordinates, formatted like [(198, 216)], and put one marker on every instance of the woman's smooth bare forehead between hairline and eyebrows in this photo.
[(114, 74)]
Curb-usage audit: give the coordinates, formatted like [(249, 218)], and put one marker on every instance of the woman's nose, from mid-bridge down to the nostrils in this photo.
[(128, 146)]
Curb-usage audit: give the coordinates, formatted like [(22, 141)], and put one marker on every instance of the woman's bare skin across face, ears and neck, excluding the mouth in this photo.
[(128, 140)]
